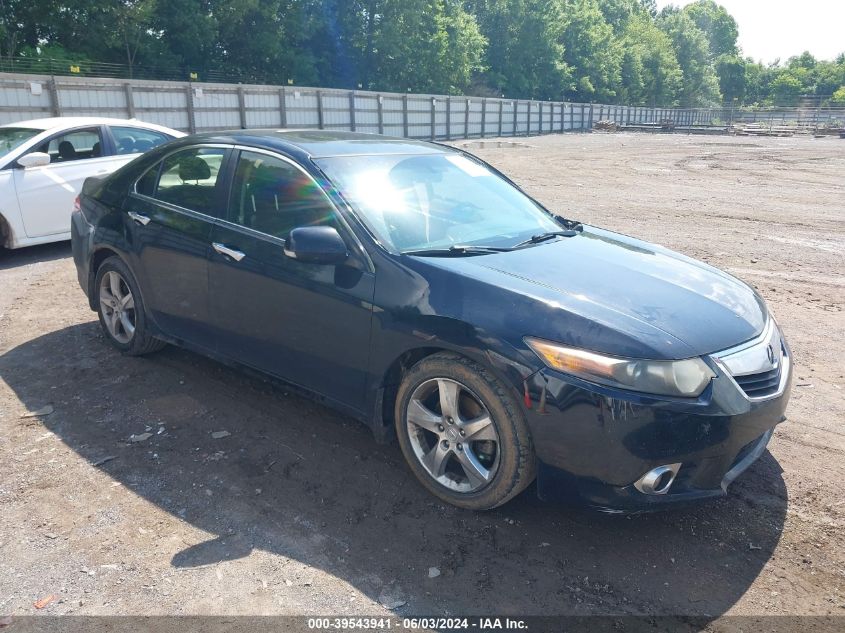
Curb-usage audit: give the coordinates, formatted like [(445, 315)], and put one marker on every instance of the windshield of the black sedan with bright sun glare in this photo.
[(435, 201)]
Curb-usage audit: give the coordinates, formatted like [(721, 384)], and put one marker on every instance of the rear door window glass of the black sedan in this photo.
[(186, 179)]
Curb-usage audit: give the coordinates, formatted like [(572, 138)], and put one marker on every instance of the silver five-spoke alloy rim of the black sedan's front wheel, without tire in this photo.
[(453, 435)]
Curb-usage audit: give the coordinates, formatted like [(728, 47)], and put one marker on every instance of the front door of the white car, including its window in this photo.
[(46, 194)]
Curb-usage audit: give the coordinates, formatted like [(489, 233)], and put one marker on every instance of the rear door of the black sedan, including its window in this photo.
[(170, 218)]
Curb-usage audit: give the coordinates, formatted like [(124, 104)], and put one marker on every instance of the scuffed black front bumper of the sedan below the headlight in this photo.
[(593, 443)]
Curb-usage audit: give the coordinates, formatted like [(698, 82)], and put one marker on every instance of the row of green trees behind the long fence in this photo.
[(616, 51)]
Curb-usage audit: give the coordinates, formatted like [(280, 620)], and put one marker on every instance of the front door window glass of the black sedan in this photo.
[(274, 197)]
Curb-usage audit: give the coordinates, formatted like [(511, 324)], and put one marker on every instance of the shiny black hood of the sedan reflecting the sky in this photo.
[(611, 293)]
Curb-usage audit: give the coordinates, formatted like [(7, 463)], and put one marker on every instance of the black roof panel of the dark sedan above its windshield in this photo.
[(323, 143)]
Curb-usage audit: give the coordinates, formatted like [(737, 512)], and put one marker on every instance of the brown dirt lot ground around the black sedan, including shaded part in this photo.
[(298, 511)]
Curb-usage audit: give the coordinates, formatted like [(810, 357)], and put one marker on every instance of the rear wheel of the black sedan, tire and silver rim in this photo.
[(121, 309)]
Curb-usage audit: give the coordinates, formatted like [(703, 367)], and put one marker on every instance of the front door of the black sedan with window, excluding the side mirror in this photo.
[(307, 323)]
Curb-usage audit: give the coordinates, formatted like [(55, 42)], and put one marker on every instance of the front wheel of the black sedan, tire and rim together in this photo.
[(449, 454)]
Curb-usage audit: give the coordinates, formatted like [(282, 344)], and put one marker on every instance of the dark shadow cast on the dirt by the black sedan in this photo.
[(294, 478)]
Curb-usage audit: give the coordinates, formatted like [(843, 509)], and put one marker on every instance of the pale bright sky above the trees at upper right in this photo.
[(772, 29)]
